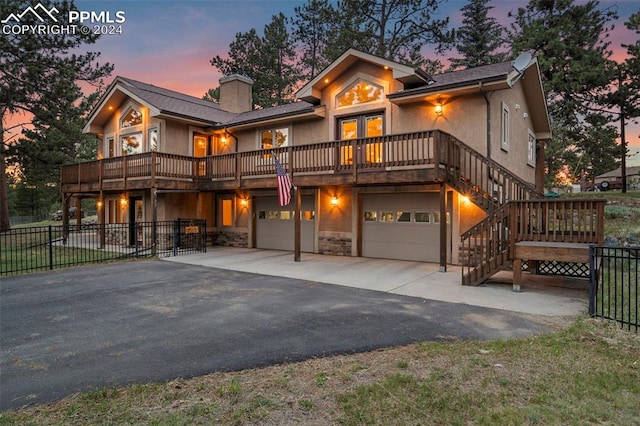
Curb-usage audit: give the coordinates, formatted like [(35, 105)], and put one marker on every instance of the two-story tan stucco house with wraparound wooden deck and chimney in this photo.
[(387, 161)]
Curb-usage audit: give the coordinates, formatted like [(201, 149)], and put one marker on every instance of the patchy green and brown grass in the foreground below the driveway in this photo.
[(587, 372)]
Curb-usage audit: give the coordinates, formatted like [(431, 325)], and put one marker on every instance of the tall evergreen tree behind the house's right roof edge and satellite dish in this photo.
[(570, 42)]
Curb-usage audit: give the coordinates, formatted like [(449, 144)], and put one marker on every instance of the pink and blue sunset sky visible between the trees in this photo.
[(170, 43)]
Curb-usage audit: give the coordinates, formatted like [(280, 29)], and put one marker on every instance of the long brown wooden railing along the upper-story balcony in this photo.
[(408, 150)]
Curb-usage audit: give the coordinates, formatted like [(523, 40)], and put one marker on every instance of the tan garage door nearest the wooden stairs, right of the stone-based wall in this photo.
[(401, 226)]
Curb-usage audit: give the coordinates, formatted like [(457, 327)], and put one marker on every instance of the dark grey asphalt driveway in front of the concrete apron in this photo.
[(90, 327)]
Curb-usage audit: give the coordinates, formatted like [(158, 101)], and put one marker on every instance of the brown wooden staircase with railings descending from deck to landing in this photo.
[(516, 211)]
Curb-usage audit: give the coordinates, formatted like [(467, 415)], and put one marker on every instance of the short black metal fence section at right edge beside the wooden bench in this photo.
[(613, 284)]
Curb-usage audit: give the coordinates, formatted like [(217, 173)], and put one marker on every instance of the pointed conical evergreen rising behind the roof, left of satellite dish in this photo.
[(480, 39)]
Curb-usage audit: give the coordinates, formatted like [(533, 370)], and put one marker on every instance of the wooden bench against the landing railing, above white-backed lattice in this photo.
[(546, 250)]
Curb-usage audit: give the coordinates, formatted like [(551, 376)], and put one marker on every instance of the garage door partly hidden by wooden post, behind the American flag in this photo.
[(275, 226)]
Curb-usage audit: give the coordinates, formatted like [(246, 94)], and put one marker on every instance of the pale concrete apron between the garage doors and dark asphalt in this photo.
[(541, 295)]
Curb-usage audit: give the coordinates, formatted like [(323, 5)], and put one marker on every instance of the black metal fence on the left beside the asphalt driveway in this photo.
[(24, 250)]
